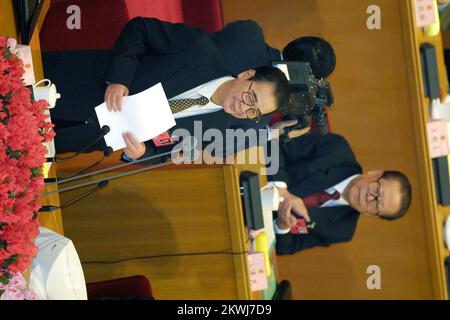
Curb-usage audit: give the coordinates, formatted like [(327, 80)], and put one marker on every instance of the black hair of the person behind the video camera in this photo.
[(317, 51)]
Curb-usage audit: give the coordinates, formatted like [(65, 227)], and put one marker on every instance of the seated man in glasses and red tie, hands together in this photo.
[(328, 188)]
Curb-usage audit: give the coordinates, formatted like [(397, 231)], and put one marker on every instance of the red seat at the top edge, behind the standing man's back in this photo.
[(102, 21)]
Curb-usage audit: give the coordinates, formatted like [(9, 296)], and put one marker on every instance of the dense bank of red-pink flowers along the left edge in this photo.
[(23, 130)]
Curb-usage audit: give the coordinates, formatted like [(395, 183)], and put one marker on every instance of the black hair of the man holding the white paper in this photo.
[(277, 77)]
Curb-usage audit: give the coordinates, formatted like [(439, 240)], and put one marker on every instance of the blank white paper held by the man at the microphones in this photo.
[(146, 115)]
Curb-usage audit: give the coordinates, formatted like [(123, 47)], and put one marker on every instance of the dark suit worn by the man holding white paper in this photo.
[(148, 51)]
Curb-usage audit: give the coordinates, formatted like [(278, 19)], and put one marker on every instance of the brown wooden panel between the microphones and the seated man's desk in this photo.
[(181, 226)]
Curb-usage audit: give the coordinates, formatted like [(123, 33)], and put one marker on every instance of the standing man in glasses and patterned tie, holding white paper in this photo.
[(147, 52)]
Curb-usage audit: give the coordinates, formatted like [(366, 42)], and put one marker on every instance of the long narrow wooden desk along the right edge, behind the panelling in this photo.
[(435, 214)]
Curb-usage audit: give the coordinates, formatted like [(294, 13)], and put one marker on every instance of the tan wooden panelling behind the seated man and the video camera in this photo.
[(372, 110)]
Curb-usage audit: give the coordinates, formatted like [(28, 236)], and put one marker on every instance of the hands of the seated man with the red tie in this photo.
[(286, 219)]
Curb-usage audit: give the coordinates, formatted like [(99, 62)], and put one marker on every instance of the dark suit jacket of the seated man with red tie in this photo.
[(311, 164)]
